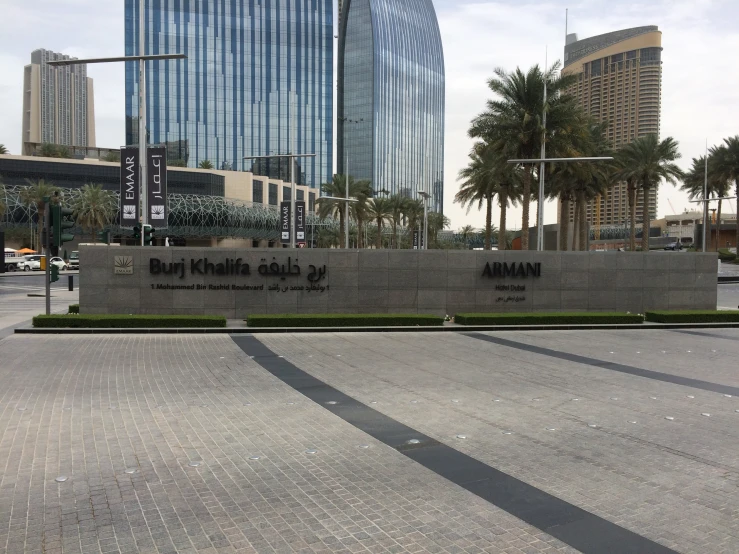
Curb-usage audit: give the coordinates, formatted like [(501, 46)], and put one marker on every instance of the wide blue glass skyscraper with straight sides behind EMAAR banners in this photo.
[(255, 70)]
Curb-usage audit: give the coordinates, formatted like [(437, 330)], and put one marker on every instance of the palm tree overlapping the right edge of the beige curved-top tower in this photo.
[(649, 161)]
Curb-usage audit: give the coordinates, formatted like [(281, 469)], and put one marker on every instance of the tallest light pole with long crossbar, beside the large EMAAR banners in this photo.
[(142, 59)]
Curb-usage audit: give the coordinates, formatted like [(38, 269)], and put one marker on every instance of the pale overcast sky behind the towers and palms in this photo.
[(700, 68)]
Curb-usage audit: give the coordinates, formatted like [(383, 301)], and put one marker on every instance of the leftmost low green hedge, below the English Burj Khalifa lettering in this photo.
[(127, 321)]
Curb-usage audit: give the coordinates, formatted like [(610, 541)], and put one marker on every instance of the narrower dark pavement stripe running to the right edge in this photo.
[(603, 364)]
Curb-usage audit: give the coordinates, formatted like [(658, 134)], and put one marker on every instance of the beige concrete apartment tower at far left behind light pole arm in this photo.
[(58, 103)]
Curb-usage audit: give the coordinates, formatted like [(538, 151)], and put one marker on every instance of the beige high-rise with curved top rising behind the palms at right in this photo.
[(620, 81)]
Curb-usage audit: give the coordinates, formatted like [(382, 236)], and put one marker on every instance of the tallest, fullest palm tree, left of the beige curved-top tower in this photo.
[(513, 122)]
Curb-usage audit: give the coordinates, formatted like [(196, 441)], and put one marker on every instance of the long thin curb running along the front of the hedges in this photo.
[(444, 329)]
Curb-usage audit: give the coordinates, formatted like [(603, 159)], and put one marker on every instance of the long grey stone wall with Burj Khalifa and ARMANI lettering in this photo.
[(160, 280)]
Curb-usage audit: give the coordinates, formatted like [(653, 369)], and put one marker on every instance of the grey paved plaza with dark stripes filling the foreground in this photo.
[(596, 441)]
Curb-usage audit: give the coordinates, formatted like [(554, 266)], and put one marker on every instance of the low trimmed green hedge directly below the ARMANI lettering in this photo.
[(550, 318)]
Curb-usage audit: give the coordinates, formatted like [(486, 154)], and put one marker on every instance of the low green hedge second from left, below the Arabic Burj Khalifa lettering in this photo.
[(343, 320)]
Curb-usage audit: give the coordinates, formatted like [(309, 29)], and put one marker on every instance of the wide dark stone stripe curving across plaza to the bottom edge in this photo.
[(572, 525)]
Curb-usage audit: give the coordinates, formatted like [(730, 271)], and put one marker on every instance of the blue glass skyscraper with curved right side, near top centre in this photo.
[(391, 96)]
